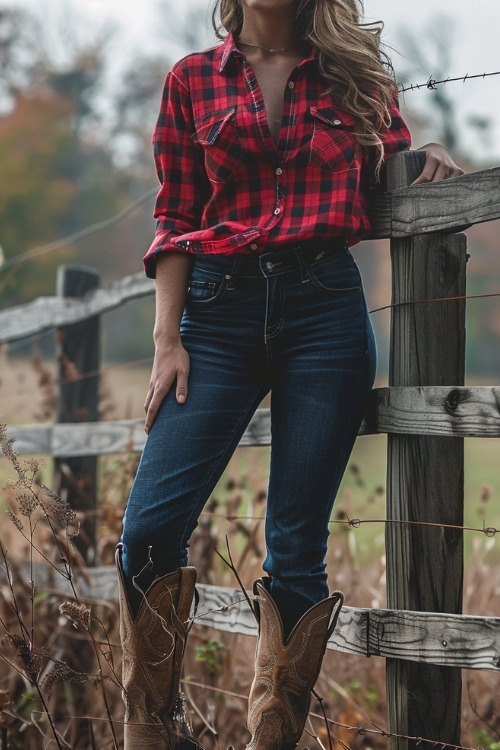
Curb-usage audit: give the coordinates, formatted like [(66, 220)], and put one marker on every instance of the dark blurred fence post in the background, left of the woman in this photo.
[(78, 362)]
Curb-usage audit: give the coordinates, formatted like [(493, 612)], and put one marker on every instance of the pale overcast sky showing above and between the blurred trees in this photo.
[(472, 26)]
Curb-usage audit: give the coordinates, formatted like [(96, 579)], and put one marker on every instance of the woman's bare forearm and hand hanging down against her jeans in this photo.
[(171, 361)]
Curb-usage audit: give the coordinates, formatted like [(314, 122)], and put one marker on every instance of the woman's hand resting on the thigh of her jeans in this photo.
[(170, 365)]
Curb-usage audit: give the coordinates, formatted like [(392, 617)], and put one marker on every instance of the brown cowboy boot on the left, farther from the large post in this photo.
[(153, 644)]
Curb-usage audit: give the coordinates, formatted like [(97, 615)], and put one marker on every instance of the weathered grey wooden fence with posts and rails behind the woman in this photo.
[(426, 411)]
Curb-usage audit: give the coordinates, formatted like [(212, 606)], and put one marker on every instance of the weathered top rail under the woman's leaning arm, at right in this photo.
[(445, 206)]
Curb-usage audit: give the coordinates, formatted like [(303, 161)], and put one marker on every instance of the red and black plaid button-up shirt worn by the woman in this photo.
[(226, 187)]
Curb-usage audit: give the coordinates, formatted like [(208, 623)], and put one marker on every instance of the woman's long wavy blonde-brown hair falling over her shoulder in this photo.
[(356, 70)]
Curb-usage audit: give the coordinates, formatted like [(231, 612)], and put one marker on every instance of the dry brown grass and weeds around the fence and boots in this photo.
[(60, 678)]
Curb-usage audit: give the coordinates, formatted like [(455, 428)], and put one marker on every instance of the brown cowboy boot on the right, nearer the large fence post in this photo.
[(286, 672)]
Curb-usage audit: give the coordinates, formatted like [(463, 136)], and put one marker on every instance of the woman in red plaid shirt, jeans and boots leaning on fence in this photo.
[(267, 148)]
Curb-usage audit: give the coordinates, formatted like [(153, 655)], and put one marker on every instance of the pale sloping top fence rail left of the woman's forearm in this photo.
[(46, 313)]
